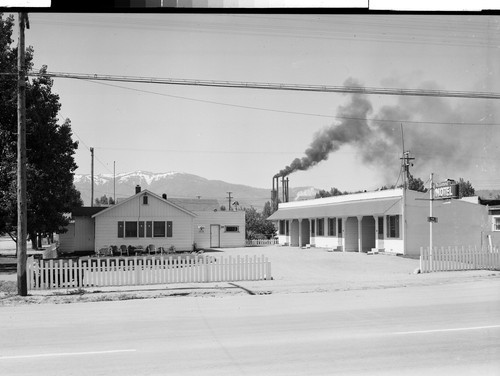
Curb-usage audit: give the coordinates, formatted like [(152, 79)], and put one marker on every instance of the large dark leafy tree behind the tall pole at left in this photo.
[(50, 148)]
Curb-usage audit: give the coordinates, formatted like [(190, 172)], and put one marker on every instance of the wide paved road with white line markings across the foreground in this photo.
[(447, 329)]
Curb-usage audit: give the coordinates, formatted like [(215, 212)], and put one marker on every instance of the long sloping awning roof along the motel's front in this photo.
[(376, 207)]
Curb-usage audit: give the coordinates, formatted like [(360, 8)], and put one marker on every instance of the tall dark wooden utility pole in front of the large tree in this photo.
[(22, 217)]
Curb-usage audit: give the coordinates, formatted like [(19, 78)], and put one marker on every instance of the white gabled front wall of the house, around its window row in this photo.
[(106, 224)]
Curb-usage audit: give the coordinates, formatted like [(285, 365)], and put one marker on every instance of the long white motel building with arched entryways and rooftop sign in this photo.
[(393, 221)]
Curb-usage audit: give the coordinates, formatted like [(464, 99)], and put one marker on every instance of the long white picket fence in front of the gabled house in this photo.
[(122, 271)]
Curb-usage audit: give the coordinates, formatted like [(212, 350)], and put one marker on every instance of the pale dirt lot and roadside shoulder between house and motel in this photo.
[(294, 270)]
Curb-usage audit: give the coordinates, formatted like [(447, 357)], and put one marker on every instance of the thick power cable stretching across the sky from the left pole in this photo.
[(273, 86)]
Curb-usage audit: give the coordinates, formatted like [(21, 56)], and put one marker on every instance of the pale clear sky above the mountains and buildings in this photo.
[(246, 136)]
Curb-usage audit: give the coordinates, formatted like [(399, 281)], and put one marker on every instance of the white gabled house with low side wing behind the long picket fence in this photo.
[(146, 218)]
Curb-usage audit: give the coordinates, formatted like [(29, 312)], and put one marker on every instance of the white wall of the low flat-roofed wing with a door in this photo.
[(223, 218)]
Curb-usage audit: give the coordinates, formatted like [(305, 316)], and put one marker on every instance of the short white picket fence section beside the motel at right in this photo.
[(458, 258)]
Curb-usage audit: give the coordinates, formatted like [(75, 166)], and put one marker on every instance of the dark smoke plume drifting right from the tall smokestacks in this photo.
[(434, 133)]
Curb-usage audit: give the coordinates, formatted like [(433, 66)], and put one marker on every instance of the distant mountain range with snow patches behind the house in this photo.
[(180, 185)]
